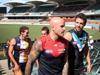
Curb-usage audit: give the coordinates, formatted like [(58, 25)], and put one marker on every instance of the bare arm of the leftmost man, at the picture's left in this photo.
[(10, 52)]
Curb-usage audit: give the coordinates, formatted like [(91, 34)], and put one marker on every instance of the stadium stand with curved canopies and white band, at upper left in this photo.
[(30, 9)]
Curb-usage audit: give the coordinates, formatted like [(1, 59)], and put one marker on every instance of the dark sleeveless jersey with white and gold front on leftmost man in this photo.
[(21, 49)]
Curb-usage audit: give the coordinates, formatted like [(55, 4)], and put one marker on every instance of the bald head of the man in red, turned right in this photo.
[(57, 25)]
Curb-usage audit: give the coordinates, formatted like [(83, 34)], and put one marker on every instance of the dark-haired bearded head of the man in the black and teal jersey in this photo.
[(80, 21)]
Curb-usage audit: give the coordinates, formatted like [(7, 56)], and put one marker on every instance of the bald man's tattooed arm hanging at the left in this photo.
[(34, 53)]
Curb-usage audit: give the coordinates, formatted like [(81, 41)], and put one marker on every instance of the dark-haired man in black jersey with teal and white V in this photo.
[(78, 39)]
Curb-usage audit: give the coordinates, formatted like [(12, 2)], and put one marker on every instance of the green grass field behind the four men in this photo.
[(9, 31)]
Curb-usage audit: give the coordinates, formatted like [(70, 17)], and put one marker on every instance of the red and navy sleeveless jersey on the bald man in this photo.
[(52, 57)]
